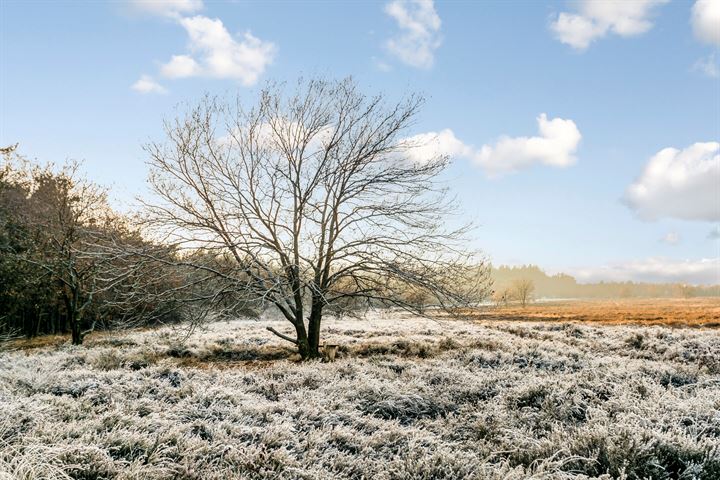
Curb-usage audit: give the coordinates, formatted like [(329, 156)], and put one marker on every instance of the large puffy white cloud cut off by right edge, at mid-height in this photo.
[(683, 184)]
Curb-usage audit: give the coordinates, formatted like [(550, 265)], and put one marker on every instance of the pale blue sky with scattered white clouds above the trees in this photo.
[(619, 82)]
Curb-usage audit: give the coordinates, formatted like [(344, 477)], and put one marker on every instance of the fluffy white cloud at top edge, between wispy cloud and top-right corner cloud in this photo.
[(598, 18)]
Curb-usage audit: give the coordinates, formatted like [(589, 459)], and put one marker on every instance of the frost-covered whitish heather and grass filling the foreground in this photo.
[(407, 398)]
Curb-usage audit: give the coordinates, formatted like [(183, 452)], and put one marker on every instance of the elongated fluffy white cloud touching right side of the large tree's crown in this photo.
[(554, 146)]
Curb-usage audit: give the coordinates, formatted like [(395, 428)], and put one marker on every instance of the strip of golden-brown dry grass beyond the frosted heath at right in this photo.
[(697, 312)]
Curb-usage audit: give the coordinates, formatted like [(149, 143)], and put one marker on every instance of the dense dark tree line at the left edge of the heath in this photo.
[(67, 261)]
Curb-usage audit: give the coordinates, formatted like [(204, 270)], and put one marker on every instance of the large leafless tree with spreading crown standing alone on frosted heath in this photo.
[(314, 200)]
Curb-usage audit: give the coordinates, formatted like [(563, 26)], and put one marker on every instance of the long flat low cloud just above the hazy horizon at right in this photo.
[(705, 271)]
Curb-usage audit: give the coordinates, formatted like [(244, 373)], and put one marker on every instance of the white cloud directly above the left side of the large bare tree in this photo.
[(215, 53)]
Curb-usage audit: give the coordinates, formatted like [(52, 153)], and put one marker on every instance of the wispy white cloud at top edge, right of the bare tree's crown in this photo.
[(419, 35)]
